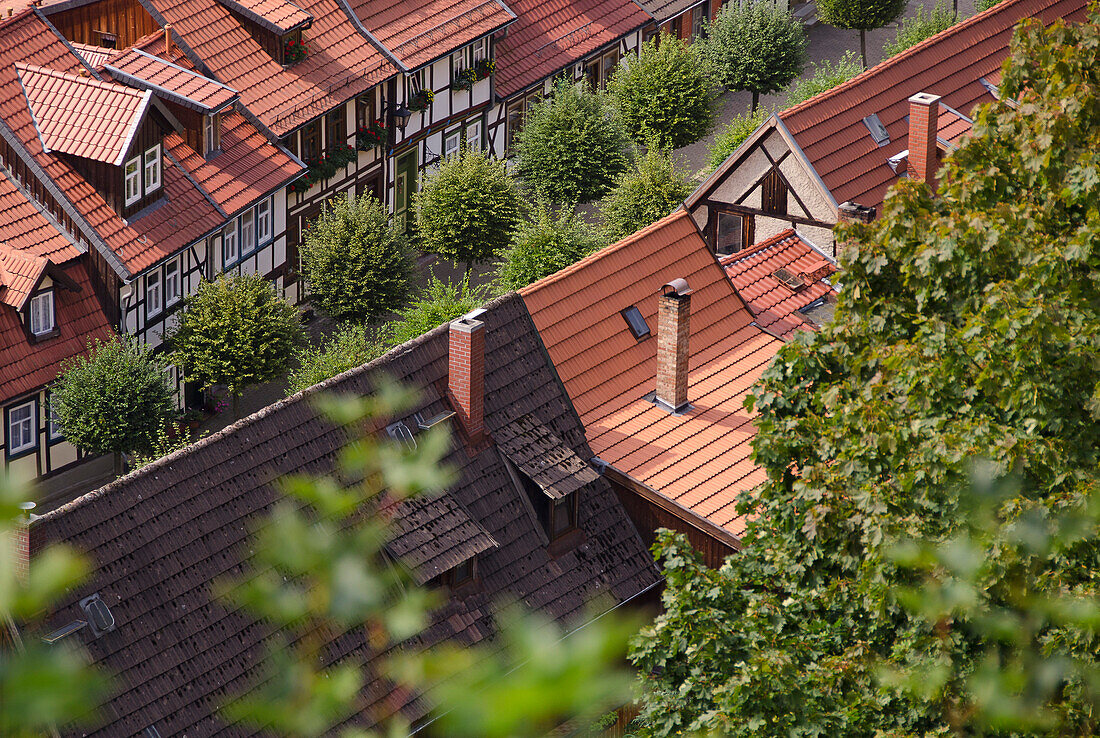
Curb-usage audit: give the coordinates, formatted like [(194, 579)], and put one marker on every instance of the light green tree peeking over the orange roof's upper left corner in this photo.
[(544, 245)]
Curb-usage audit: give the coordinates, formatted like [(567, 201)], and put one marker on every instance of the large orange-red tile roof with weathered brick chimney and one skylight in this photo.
[(701, 460)]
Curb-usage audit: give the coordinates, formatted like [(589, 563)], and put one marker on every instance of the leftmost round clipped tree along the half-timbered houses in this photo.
[(115, 400)]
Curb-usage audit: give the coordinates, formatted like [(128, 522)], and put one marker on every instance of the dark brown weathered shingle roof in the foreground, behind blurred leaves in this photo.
[(161, 536)]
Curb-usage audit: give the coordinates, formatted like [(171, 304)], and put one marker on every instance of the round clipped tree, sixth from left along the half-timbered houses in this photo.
[(665, 95)]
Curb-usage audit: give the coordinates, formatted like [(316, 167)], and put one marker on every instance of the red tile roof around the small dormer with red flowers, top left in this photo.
[(342, 63)]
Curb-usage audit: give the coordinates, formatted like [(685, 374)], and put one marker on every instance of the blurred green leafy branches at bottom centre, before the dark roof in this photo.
[(320, 574)]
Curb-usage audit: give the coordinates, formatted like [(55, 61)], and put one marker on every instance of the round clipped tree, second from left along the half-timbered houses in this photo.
[(238, 333)]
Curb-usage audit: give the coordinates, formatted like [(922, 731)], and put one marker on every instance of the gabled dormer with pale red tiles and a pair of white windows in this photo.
[(111, 134)]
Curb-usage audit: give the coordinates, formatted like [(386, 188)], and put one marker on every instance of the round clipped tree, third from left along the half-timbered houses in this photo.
[(357, 262)]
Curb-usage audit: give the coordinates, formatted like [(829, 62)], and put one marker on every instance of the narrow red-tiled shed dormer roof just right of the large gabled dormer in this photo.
[(184, 86)]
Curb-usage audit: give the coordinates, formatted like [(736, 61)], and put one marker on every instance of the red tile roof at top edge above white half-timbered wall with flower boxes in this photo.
[(420, 31)]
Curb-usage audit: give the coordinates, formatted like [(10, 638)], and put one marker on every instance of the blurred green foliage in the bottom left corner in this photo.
[(41, 687)]
